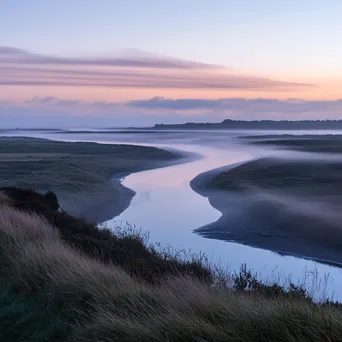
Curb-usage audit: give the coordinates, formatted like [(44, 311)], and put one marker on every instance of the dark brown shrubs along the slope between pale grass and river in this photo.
[(128, 251)]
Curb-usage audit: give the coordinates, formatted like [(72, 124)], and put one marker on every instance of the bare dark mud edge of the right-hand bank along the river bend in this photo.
[(225, 203)]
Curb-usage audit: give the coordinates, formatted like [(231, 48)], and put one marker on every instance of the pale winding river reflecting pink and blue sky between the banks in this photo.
[(166, 206)]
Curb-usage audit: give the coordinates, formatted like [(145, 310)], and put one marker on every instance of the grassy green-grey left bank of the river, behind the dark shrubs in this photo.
[(85, 176)]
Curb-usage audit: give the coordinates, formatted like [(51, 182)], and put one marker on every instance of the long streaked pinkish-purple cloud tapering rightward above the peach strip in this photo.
[(138, 70)]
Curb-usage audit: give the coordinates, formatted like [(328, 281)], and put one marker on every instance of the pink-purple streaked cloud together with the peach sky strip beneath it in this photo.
[(142, 76)]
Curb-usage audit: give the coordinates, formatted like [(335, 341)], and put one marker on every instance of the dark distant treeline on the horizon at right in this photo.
[(257, 124)]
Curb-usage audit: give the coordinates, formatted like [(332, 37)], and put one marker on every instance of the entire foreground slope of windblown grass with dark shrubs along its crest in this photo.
[(53, 289)]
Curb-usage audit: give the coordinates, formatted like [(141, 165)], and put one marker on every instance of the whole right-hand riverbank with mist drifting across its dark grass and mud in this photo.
[(277, 205)]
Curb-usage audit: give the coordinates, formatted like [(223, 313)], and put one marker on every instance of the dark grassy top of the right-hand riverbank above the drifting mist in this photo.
[(297, 177)]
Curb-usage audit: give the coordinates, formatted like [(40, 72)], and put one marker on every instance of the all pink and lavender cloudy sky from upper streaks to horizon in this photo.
[(139, 86)]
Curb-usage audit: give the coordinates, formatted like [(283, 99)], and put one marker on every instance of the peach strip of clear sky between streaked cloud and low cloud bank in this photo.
[(324, 90)]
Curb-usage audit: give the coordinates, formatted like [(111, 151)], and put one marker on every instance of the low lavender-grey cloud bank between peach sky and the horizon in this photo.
[(163, 110)]
